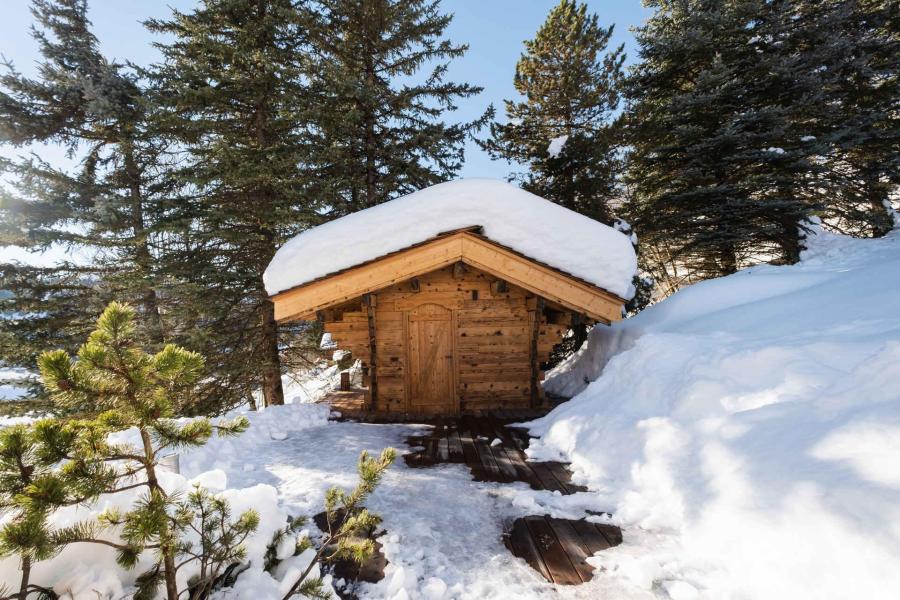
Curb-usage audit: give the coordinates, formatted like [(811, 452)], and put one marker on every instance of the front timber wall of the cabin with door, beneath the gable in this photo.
[(496, 345)]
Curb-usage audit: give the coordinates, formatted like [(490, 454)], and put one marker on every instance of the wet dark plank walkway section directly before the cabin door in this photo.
[(492, 451)]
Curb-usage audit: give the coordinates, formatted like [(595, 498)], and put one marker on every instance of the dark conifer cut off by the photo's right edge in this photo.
[(856, 44)]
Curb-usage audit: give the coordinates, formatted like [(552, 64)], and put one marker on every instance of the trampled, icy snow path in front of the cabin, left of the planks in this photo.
[(444, 530)]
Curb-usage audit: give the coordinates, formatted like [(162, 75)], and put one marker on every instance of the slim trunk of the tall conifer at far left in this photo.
[(143, 259)]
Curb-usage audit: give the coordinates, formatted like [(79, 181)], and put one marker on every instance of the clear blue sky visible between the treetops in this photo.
[(494, 30)]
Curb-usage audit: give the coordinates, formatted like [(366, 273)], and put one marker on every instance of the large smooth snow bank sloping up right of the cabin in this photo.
[(746, 431)]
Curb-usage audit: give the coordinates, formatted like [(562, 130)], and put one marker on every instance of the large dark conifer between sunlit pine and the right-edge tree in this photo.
[(718, 168)]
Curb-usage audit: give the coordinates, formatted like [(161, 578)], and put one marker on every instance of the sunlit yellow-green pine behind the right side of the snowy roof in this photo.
[(562, 131)]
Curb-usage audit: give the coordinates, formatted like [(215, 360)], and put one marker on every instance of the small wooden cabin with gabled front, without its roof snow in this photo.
[(455, 323)]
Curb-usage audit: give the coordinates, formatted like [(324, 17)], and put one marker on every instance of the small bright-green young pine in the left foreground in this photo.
[(117, 386)]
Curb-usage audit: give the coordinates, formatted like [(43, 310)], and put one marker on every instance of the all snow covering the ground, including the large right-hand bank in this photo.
[(745, 433)]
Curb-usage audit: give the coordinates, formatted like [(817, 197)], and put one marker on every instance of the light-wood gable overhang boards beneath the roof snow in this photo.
[(303, 301)]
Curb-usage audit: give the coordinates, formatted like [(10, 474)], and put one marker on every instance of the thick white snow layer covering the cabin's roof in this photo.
[(510, 216)]
